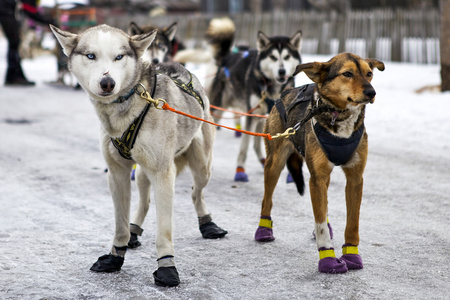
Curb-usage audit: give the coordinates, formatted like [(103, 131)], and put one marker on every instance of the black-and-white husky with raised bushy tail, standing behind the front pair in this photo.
[(251, 79)]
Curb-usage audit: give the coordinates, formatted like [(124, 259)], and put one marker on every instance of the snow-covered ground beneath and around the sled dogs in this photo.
[(56, 215)]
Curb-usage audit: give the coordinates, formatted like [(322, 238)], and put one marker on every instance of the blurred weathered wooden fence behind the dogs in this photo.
[(390, 35)]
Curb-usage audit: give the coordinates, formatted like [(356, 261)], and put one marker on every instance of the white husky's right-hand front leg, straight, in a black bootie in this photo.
[(164, 183)]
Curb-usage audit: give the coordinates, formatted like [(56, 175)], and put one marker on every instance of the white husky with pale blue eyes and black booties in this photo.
[(106, 61)]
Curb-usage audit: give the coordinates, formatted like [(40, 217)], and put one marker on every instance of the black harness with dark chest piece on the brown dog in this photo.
[(338, 150)]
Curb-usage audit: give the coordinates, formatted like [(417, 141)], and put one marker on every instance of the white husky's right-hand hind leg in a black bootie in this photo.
[(199, 156)]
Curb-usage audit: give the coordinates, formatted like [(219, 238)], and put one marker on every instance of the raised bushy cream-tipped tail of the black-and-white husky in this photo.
[(220, 35)]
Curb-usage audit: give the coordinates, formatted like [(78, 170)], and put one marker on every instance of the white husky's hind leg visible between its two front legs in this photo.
[(136, 230)]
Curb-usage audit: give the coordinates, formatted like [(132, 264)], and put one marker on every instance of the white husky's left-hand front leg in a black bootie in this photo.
[(120, 188)]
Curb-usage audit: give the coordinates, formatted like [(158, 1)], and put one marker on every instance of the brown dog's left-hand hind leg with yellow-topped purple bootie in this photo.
[(276, 160)]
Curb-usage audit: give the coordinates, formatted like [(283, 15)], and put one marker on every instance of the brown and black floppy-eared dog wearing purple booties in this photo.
[(328, 118)]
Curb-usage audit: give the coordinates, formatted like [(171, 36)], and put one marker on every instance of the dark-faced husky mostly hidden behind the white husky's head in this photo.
[(165, 45)]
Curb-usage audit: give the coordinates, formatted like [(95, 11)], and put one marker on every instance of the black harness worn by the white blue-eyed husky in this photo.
[(125, 143)]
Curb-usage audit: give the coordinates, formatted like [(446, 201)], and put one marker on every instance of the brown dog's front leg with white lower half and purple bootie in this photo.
[(320, 170)]
